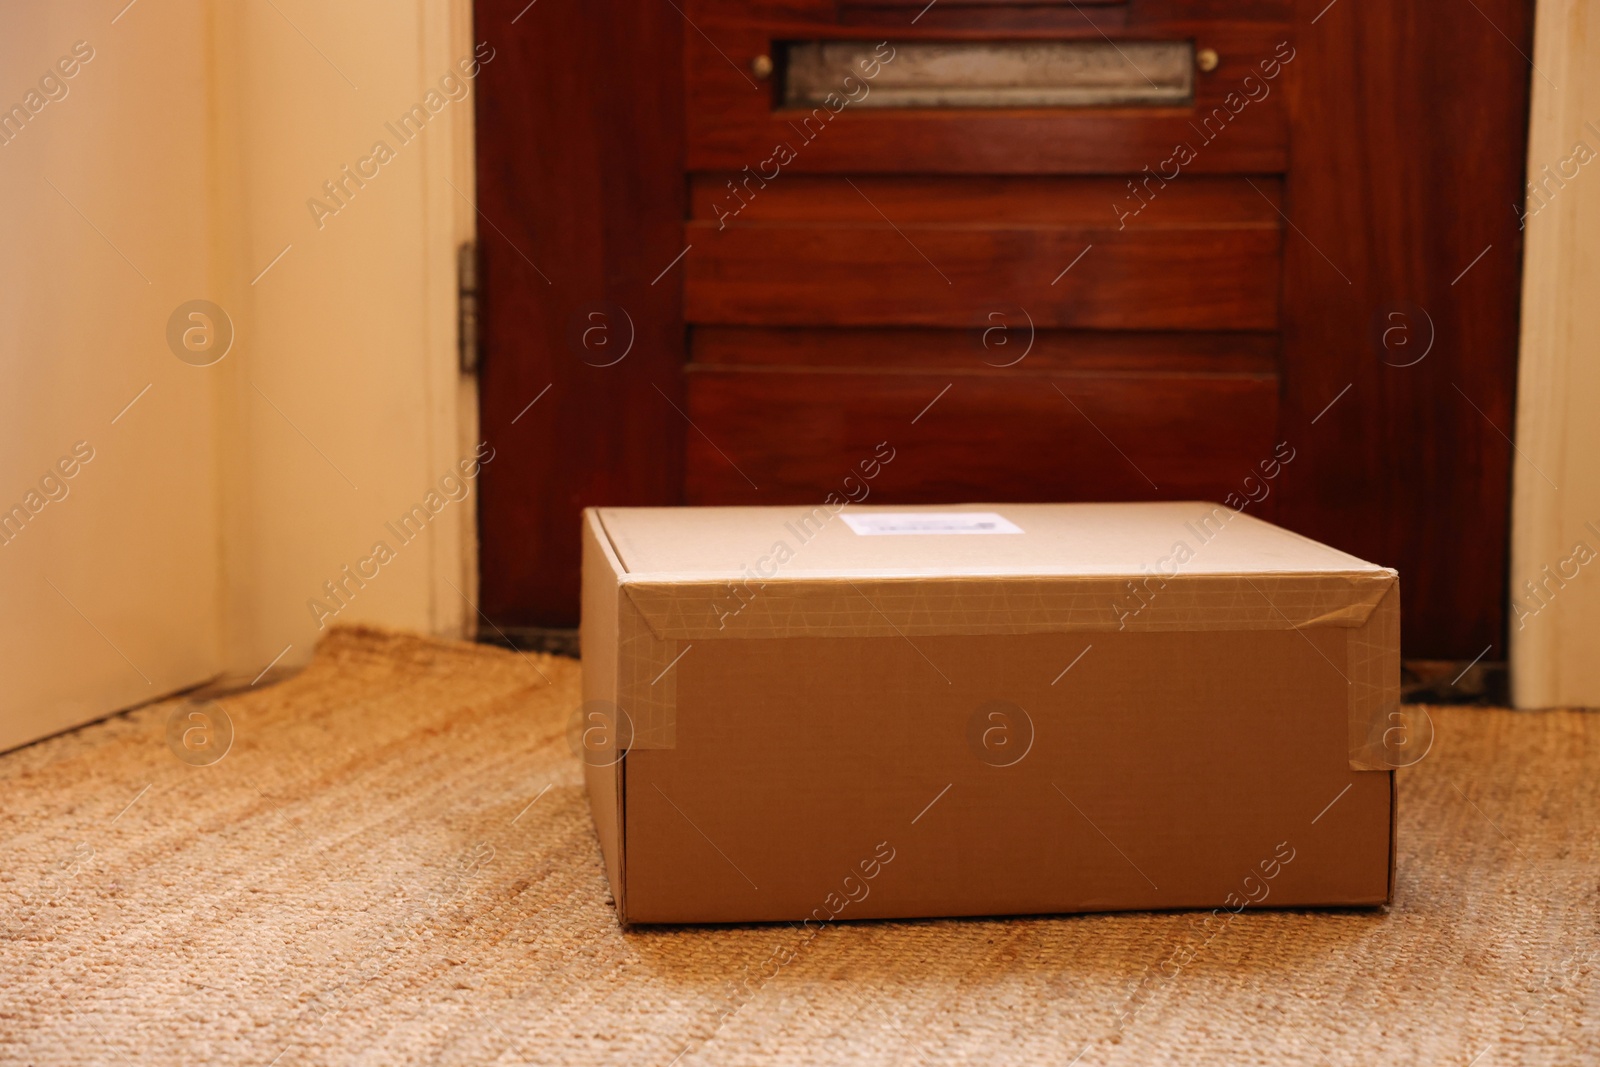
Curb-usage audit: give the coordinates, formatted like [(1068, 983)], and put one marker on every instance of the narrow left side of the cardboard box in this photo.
[(599, 637)]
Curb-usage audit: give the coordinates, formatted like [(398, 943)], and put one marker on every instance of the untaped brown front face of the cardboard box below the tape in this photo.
[(892, 777)]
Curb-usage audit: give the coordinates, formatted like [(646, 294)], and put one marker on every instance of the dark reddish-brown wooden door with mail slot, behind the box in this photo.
[(734, 255)]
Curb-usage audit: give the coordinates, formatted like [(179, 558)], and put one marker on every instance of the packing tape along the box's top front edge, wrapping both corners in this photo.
[(662, 615)]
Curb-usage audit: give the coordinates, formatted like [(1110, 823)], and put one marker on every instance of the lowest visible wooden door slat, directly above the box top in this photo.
[(799, 434)]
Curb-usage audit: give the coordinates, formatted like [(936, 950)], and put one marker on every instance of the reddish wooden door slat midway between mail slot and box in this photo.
[(1201, 279)]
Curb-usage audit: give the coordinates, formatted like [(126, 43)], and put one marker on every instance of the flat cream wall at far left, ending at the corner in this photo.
[(110, 594)]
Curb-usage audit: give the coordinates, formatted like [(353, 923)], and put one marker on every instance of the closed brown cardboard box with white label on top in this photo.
[(985, 709)]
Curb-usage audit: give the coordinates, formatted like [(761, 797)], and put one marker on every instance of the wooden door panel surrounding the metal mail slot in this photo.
[(734, 121)]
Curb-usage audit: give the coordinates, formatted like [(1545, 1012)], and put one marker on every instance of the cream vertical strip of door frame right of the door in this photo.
[(1556, 628)]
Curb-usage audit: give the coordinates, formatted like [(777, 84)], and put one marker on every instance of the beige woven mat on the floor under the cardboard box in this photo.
[(394, 865)]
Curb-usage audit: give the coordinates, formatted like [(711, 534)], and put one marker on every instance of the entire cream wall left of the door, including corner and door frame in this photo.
[(178, 166)]
